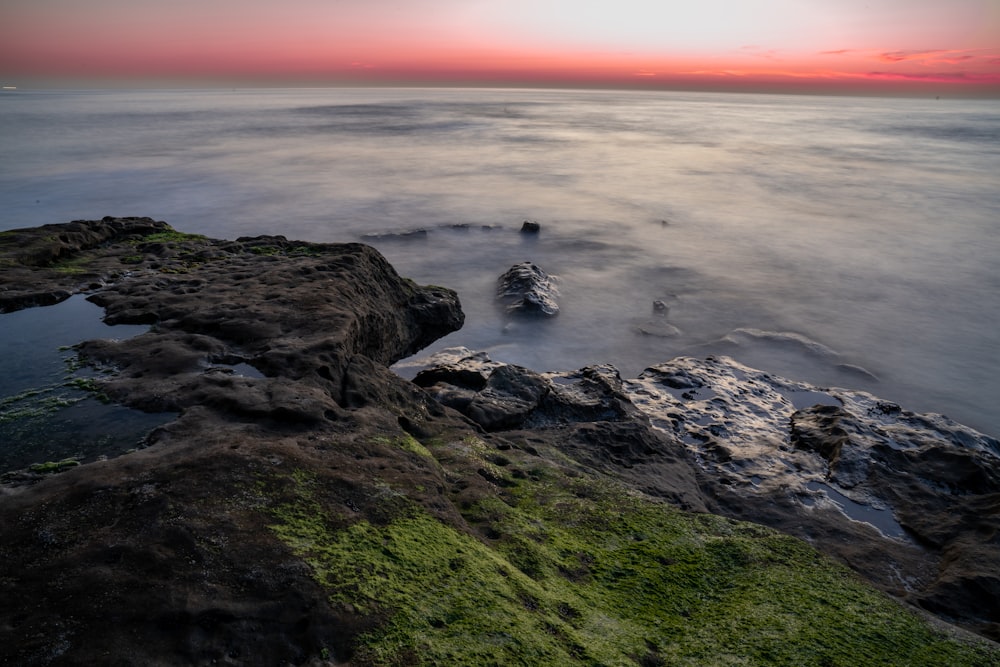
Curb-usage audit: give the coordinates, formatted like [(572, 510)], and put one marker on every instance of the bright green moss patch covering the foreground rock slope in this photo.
[(582, 572)]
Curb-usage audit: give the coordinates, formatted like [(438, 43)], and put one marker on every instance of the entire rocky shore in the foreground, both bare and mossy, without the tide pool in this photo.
[(331, 512)]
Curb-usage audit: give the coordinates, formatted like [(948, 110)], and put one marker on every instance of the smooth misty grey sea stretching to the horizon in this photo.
[(797, 234)]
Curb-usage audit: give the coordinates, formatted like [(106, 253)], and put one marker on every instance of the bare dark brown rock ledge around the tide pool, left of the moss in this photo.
[(164, 556)]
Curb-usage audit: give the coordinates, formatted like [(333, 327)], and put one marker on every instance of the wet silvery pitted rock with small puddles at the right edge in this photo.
[(761, 458)]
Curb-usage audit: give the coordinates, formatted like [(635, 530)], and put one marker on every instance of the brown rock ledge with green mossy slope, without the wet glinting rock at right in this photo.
[(330, 512)]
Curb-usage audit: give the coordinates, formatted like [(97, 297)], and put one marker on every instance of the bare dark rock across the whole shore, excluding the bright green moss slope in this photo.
[(172, 554)]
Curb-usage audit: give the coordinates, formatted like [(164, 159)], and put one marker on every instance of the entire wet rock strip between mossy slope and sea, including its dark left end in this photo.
[(910, 501)]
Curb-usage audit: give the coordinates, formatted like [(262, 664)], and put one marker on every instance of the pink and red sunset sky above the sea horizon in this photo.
[(940, 47)]
